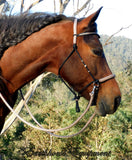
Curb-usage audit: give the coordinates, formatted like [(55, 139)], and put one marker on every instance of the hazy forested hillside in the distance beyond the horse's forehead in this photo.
[(118, 52)]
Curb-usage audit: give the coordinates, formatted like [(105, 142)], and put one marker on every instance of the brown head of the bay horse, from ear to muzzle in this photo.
[(91, 52)]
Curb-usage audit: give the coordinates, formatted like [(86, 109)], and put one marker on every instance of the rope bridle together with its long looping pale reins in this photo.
[(95, 83)]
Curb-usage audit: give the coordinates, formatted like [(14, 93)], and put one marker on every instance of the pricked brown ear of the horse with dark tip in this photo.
[(90, 19)]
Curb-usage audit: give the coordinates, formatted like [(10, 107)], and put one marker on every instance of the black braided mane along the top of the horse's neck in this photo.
[(14, 29)]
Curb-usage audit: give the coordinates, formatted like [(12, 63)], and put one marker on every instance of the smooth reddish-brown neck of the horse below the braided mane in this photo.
[(28, 59)]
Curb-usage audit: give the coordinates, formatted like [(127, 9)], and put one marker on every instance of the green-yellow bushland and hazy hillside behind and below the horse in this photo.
[(52, 105)]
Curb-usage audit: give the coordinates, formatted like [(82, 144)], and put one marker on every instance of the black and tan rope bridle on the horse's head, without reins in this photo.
[(95, 82)]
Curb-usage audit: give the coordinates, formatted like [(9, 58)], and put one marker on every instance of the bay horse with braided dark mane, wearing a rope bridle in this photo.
[(31, 44)]
